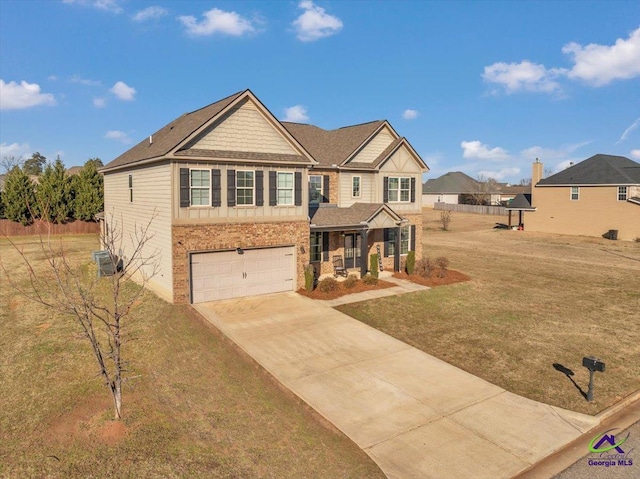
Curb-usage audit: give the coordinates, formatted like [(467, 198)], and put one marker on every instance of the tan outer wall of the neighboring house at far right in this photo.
[(595, 212)]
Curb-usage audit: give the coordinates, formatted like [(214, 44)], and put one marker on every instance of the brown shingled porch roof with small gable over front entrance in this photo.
[(356, 216)]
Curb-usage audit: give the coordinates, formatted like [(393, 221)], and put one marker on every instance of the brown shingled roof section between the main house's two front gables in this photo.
[(332, 147)]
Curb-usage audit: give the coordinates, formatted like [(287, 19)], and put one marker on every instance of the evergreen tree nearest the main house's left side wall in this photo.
[(88, 189)]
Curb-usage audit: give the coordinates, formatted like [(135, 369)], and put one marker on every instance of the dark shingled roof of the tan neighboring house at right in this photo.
[(597, 170)]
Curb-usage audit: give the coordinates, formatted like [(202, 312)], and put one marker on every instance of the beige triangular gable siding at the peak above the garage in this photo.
[(244, 128)]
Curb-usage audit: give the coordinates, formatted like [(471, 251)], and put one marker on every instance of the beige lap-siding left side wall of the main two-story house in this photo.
[(151, 195)]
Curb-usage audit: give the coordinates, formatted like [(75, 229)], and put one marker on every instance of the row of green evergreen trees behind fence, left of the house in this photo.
[(34, 189)]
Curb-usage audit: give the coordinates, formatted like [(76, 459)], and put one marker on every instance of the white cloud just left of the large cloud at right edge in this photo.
[(523, 76)]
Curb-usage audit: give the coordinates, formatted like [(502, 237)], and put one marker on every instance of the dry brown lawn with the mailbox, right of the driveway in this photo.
[(534, 300)]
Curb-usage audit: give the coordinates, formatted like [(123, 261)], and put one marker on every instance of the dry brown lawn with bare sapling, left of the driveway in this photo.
[(197, 407)]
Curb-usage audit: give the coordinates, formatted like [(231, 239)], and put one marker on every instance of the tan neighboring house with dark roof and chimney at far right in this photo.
[(590, 198)]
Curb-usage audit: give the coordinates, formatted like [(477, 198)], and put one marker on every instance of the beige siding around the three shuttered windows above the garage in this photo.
[(235, 214)]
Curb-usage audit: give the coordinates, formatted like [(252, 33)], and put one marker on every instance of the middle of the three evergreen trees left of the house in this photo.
[(54, 193)]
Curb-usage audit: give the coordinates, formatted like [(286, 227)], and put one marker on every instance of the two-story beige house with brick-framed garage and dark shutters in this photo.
[(241, 202)]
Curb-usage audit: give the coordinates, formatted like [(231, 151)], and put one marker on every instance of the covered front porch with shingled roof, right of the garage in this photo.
[(348, 236)]
